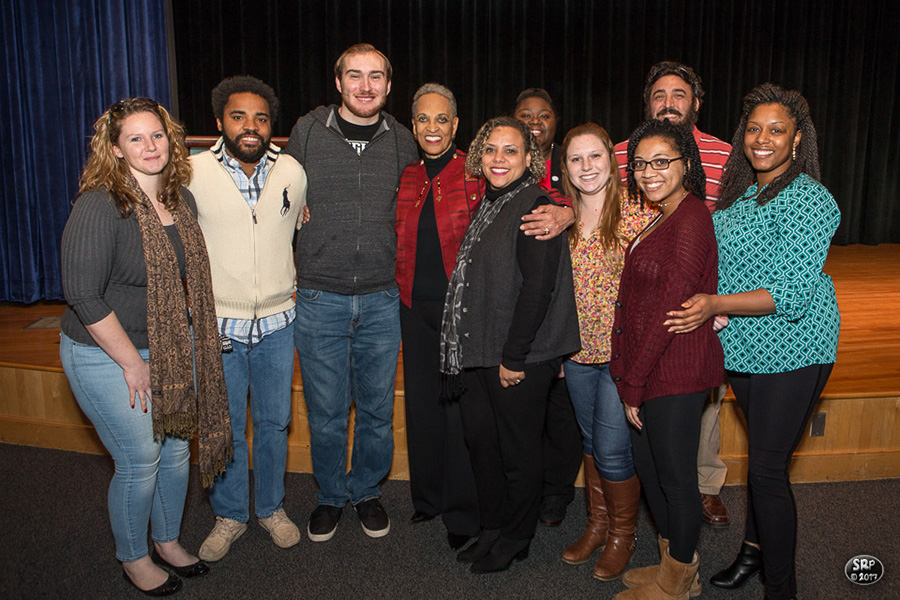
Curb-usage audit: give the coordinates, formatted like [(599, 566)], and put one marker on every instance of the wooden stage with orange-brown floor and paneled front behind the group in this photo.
[(860, 406)]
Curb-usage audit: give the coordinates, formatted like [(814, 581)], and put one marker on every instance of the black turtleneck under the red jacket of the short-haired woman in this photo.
[(430, 279)]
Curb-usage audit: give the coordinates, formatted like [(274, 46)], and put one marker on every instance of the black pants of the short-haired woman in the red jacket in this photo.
[(440, 472)]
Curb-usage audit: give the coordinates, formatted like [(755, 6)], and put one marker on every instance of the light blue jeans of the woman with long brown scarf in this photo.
[(150, 482)]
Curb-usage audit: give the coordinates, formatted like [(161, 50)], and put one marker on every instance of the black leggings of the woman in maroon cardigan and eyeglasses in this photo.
[(665, 458)]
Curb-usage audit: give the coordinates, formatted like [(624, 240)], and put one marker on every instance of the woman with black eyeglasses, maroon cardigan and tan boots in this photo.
[(663, 379)]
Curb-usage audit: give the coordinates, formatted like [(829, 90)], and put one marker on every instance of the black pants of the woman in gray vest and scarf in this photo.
[(503, 428)]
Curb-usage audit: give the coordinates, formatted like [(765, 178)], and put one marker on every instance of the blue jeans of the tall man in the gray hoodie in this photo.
[(348, 348)]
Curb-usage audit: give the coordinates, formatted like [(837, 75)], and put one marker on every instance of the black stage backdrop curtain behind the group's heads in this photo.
[(592, 57)]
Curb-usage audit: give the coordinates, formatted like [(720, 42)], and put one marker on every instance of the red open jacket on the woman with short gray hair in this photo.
[(454, 207)]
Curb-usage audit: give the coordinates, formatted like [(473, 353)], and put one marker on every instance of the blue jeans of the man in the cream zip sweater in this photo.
[(266, 369)]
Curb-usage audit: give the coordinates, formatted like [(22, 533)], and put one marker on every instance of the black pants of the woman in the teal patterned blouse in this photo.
[(776, 407)]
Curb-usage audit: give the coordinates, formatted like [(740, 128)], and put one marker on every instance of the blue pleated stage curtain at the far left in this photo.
[(65, 61)]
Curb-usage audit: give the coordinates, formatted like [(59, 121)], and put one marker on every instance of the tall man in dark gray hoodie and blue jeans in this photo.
[(347, 329)]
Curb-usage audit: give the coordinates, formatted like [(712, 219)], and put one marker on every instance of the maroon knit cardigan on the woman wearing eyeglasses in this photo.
[(677, 260)]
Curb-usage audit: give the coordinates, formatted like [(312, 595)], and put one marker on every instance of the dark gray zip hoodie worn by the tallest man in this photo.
[(349, 245)]
